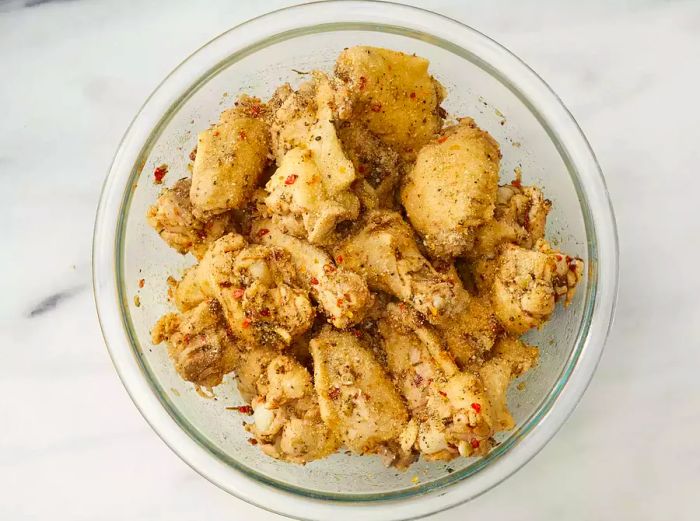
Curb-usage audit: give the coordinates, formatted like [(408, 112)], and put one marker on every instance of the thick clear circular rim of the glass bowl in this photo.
[(555, 118)]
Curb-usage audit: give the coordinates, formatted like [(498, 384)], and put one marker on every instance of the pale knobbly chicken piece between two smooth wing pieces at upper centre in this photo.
[(314, 177)]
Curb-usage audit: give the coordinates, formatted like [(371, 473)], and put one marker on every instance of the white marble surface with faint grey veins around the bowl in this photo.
[(72, 75)]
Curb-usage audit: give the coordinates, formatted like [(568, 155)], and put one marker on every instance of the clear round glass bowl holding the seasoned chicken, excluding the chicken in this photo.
[(537, 134)]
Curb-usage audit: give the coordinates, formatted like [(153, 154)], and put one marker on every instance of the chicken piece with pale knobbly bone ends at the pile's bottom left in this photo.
[(287, 419)]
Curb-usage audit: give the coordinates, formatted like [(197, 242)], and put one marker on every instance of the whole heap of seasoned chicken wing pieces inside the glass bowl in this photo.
[(361, 269)]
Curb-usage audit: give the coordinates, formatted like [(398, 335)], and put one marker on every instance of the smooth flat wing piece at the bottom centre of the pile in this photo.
[(357, 399)]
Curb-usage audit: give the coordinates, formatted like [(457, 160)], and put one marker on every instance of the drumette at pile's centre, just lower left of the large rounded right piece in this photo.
[(384, 251)]
